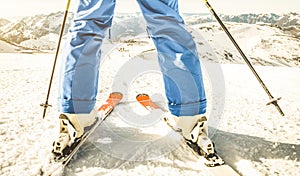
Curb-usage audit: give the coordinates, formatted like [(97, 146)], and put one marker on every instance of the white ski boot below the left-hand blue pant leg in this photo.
[(72, 128)]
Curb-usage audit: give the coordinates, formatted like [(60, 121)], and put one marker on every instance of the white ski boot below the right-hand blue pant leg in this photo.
[(194, 130)]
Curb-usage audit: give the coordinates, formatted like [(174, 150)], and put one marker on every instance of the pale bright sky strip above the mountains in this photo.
[(16, 8)]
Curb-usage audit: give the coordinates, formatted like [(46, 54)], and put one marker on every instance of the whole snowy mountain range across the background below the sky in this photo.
[(276, 40)]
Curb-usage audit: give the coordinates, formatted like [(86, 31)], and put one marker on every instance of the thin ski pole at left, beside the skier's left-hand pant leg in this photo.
[(45, 105)]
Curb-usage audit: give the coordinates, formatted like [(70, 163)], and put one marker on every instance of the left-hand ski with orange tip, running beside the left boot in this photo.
[(58, 163)]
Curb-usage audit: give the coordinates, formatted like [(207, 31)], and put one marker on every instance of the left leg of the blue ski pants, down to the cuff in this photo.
[(81, 57)]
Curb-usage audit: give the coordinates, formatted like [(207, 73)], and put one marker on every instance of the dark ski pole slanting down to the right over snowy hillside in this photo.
[(273, 100)]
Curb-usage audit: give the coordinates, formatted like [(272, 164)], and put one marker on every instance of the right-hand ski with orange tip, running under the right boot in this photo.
[(214, 164)]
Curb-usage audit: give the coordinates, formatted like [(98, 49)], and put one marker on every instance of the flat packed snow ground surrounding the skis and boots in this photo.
[(251, 137)]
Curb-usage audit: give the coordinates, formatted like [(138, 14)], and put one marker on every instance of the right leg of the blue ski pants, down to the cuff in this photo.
[(177, 56)]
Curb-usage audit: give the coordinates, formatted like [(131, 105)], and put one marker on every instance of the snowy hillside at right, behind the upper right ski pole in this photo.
[(262, 44)]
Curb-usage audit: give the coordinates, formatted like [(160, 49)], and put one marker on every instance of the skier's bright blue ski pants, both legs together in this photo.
[(177, 56)]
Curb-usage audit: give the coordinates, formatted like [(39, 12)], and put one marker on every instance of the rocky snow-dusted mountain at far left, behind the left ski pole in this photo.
[(35, 32)]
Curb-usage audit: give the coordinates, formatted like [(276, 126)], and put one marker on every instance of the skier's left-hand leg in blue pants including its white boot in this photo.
[(79, 72)]
